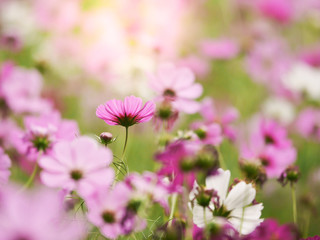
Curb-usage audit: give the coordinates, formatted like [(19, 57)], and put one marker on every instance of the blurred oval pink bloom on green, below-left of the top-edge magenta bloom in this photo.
[(220, 48)]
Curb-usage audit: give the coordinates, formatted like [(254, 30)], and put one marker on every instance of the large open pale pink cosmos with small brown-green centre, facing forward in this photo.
[(80, 165)]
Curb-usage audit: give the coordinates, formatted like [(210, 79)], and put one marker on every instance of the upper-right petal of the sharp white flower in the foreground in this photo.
[(240, 196)]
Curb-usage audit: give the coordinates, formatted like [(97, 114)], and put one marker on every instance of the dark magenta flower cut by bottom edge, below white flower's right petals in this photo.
[(270, 229)]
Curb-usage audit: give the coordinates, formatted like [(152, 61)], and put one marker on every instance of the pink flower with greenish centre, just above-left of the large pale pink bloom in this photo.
[(44, 131)]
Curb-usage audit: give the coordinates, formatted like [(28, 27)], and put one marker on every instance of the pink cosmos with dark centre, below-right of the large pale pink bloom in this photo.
[(110, 212)]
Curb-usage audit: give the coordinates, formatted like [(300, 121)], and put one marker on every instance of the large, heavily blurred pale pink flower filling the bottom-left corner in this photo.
[(48, 221)]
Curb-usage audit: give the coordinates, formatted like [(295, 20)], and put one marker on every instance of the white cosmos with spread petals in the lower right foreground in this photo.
[(235, 207)]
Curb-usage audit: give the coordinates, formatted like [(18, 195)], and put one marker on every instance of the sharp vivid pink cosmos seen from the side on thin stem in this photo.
[(126, 113)]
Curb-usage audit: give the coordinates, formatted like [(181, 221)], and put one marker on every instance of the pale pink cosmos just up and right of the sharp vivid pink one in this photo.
[(177, 85)]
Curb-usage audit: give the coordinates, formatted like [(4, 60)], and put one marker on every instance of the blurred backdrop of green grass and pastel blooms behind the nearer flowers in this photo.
[(241, 51)]
